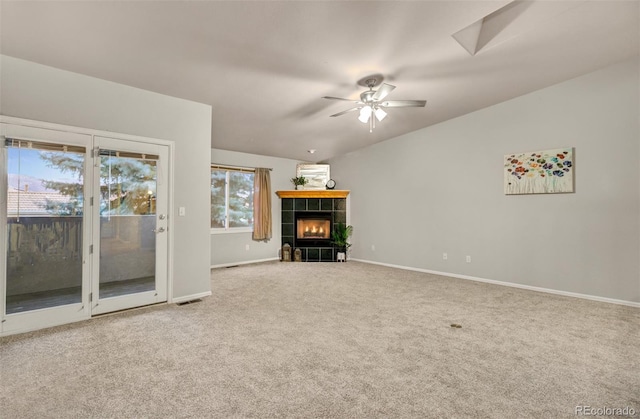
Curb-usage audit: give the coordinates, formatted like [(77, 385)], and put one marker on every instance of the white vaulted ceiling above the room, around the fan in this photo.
[(264, 65)]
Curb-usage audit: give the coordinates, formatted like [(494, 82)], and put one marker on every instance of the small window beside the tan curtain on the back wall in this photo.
[(231, 199)]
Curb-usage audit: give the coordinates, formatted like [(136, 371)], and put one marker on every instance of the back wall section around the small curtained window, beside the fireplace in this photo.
[(230, 248)]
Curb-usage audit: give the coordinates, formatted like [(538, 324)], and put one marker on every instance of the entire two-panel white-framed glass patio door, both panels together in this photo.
[(83, 226)]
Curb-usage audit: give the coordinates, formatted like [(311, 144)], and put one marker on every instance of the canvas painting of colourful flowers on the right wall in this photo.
[(549, 171)]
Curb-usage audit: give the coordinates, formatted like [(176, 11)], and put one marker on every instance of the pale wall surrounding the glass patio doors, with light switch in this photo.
[(32, 91)]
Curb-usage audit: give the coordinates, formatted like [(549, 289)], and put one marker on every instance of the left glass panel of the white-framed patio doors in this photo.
[(44, 225)]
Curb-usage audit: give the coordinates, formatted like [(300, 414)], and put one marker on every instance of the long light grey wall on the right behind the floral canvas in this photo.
[(440, 189)]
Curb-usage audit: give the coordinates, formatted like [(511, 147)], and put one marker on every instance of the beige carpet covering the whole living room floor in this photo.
[(332, 340)]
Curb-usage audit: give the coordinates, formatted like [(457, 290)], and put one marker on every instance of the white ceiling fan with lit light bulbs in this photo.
[(371, 103)]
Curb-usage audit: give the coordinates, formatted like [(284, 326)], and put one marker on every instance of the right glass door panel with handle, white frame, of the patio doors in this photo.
[(131, 219)]
